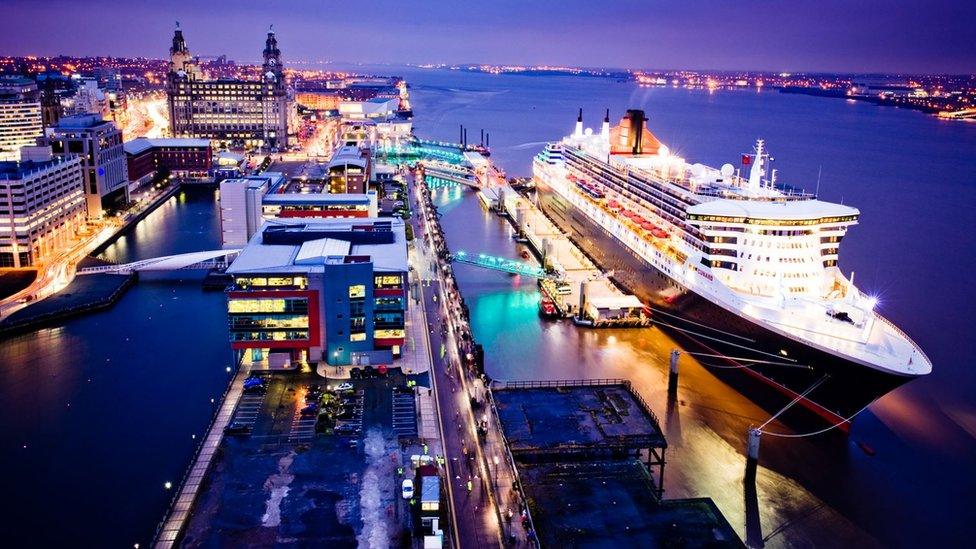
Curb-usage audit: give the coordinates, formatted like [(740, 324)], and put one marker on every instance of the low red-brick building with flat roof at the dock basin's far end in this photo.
[(185, 158)]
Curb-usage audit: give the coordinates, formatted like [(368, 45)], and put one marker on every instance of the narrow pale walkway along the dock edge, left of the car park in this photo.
[(179, 511)]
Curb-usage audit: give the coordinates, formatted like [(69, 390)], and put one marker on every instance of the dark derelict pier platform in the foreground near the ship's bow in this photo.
[(586, 451)]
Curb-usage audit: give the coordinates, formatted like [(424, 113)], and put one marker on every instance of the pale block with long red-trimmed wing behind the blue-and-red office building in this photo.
[(246, 203)]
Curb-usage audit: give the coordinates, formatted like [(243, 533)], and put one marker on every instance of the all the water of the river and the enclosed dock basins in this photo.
[(99, 412)]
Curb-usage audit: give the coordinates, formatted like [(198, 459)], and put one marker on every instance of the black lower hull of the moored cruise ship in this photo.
[(842, 387)]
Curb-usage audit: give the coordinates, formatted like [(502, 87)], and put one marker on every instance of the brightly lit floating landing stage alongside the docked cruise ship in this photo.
[(556, 251)]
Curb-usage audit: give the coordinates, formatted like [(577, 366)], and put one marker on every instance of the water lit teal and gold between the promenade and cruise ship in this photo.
[(705, 425)]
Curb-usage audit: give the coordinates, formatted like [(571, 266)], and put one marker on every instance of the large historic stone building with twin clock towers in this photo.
[(236, 113)]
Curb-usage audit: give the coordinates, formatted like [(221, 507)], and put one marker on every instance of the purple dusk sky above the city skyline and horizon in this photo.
[(928, 36)]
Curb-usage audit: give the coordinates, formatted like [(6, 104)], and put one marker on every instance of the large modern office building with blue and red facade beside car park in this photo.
[(324, 290)]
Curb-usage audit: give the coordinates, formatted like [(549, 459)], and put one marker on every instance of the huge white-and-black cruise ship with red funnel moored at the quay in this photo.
[(739, 268)]
